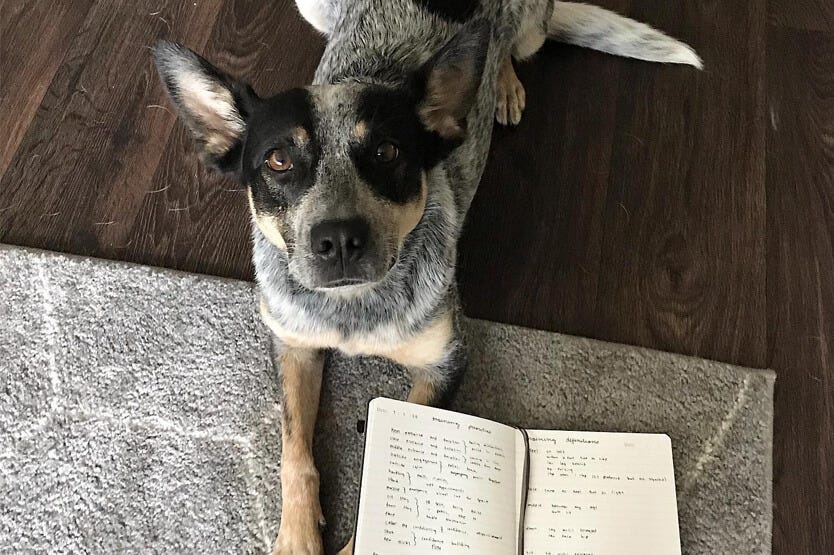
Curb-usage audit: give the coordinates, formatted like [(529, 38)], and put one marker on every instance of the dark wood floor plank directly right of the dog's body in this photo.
[(530, 249)]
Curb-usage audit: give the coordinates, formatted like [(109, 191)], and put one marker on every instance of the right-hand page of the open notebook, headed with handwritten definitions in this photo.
[(598, 493)]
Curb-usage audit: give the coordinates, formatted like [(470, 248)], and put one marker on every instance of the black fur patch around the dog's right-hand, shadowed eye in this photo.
[(391, 116)]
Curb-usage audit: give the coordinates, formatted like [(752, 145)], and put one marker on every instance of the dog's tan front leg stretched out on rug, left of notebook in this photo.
[(301, 516)]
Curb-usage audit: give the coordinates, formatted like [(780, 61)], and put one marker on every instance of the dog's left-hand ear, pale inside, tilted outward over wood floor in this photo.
[(213, 106)]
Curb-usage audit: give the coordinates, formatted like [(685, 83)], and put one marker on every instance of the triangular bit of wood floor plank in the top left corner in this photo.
[(33, 38)]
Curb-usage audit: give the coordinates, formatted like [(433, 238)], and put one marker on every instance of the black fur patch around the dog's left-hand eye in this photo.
[(273, 126)]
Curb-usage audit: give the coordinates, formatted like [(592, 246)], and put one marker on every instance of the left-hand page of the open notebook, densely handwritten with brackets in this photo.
[(435, 480)]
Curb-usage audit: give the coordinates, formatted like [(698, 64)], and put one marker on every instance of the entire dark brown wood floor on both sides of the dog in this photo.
[(690, 212)]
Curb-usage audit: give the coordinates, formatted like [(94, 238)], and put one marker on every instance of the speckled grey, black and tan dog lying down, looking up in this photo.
[(358, 185)]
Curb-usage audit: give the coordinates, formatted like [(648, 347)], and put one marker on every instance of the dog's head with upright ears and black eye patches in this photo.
[(336, 174)]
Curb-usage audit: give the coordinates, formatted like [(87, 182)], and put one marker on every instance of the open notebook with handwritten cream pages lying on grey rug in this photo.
[(440, 481)]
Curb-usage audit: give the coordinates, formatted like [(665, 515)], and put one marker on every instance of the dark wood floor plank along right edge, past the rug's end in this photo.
[(800, 257)]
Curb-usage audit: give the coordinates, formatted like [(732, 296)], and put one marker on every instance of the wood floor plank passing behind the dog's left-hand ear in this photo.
[(196, 220)]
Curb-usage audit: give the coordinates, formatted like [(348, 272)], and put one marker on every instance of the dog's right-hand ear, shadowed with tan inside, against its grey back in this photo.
[(451, 80)]
